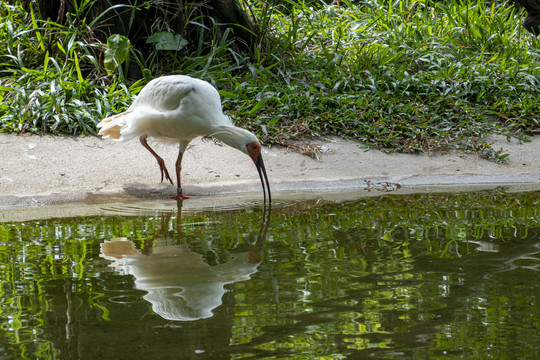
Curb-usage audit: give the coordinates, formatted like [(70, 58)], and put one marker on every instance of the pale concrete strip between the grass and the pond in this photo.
[(38, 170)]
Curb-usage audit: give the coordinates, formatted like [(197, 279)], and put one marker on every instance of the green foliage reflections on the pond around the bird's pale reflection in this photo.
[(332, 273)]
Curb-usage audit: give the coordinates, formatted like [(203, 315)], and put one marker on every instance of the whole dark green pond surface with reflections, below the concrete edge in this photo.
[(395, 276)]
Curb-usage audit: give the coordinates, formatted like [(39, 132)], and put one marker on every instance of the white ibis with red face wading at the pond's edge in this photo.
[(180, 108)]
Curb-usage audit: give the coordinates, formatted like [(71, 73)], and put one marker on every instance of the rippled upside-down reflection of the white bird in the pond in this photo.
[(180, 285)]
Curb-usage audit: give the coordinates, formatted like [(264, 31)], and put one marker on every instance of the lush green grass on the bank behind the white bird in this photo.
[(405, 76)]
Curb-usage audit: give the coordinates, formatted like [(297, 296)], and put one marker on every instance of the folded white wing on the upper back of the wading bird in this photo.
[(163, 94)]
